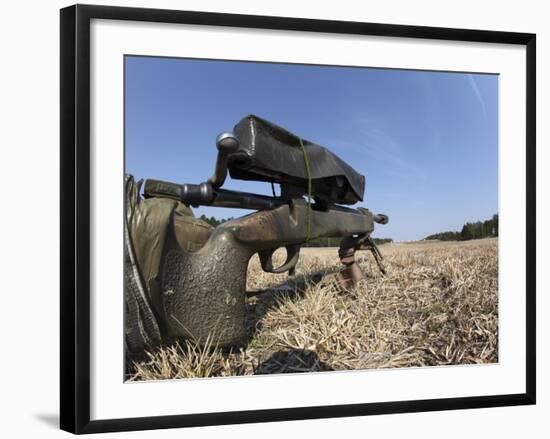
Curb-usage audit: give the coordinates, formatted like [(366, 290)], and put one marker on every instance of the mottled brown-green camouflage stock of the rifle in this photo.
[(203, 292)]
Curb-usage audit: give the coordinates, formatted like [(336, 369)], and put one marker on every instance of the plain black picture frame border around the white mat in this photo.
[(75, 217)]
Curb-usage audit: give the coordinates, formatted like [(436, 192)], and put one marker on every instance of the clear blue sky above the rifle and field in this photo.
[(427, 142)]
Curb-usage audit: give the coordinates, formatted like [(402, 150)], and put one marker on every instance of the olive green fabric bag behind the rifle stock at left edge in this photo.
[(145, 226)]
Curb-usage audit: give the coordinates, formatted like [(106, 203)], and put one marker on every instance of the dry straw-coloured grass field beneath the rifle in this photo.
[(436, 306)]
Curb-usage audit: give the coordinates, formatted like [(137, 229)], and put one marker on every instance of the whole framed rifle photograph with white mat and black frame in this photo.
[(274, 218)]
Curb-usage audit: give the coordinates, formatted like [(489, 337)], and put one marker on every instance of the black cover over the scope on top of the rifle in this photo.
[(270, 153)]
